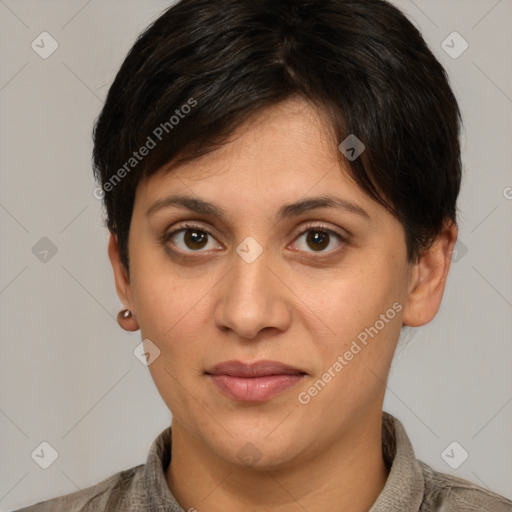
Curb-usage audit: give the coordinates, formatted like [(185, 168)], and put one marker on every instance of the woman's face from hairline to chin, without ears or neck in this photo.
[(297, 285)]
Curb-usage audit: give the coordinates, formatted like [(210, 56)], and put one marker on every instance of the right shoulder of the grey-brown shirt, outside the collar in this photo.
[(448, 493)]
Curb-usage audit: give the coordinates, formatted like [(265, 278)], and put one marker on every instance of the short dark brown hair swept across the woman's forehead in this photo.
[(206, 66)]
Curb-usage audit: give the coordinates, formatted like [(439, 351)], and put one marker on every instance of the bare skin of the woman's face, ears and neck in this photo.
[(289, 305)]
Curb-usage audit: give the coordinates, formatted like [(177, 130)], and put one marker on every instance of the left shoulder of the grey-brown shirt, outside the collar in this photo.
[(118, 490)]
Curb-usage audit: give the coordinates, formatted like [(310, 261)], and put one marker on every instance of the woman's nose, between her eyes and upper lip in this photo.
[(252, 298)]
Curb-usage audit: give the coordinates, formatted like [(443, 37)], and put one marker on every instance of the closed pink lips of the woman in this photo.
[(256, 382)]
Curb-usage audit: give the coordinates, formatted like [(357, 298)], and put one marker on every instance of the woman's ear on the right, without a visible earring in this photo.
[(428, 278)]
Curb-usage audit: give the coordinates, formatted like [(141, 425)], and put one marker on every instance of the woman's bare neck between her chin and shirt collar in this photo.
[(348, 476)]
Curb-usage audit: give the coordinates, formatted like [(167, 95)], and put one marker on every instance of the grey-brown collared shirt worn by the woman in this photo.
[(412, 486)]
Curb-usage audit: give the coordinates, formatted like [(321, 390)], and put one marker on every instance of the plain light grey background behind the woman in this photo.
[(67, 371)]
